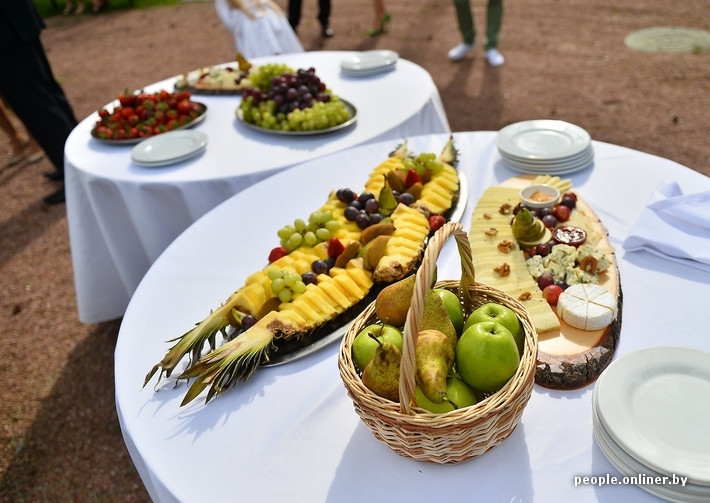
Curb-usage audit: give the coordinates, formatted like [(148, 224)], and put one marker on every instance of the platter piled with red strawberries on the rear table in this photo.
[(140, 115)]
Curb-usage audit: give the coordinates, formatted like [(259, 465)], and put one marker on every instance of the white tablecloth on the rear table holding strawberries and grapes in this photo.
[(122, 216)]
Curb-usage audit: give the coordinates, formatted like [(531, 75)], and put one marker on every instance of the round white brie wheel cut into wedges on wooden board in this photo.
[(587, 306)]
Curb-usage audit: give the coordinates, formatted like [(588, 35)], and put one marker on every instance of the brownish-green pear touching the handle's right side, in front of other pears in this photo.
[(434, 359)]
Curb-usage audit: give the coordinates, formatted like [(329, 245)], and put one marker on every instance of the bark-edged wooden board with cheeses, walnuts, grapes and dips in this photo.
[(557, 260)]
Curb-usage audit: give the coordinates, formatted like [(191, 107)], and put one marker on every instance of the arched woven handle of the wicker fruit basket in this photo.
[(424, 278)]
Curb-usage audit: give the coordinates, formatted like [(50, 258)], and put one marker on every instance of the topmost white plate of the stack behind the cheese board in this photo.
[(542, 139)]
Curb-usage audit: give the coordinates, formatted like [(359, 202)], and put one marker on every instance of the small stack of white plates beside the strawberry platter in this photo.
[(168, 148)]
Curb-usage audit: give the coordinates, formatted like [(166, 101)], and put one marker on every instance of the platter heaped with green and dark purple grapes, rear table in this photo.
[(285, 101)]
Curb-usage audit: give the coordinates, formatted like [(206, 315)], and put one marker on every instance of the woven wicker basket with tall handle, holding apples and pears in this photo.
[(464, 433)]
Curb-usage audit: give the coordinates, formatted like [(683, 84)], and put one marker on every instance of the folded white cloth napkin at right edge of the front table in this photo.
[(674, 226)]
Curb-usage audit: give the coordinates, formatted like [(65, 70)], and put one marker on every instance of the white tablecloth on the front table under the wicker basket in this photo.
[(290, 433)]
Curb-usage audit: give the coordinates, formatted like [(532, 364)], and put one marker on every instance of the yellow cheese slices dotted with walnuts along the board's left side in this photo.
[(490, 227)]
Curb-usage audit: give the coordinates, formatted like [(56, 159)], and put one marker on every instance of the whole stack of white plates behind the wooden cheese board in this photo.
[(545, 147)]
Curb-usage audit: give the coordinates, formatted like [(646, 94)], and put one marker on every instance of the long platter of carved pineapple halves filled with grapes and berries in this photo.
[(321, 271)]
